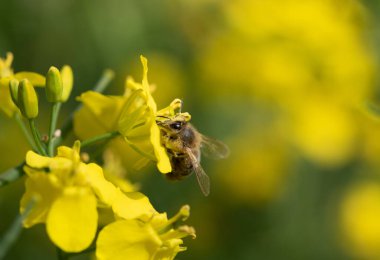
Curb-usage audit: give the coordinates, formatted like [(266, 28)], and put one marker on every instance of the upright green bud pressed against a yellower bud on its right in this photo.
[(54, 86)]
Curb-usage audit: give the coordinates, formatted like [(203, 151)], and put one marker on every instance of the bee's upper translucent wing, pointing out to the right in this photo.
[(213, 148)]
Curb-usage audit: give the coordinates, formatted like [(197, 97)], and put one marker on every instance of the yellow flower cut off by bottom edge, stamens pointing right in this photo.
[(152, 239)]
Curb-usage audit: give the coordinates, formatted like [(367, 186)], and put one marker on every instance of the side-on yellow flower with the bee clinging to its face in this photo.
[(133, 115)]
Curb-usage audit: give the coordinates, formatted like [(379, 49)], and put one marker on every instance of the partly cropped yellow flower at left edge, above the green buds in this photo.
[(6, 74)]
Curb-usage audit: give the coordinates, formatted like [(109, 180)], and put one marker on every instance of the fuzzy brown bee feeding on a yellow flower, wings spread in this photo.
[(184, 145)]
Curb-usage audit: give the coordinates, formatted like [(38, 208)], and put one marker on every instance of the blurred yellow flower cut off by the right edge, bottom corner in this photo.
[(359, 215)]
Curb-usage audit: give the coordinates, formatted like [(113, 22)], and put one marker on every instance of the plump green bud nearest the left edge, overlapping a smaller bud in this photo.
[(27, 99)]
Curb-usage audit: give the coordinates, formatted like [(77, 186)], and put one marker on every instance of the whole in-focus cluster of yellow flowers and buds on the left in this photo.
[(82, 204)]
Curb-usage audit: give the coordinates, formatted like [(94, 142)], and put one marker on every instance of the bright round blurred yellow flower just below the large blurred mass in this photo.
[(324, 131)]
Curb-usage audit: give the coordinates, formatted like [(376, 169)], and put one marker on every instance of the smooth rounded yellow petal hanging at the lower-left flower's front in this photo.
[(73, 219)]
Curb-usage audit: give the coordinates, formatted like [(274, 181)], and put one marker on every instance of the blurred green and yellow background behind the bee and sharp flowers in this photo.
[(285, 83)]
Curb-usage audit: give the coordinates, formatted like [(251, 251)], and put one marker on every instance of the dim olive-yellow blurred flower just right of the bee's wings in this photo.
[(257, 169)]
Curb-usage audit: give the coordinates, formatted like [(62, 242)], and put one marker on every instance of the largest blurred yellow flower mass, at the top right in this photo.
[(278, 49)]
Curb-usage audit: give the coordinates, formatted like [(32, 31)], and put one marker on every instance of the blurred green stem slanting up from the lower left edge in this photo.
[(14, 231)]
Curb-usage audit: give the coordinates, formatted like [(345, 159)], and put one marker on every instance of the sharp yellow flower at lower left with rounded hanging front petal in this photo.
[(68, 193)]
